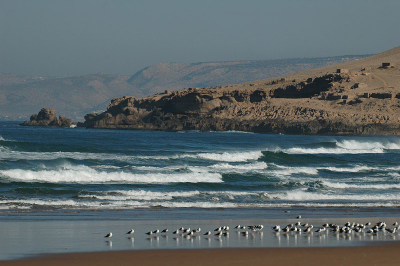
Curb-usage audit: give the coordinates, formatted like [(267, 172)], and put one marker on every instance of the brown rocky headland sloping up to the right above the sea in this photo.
[(357, 97)]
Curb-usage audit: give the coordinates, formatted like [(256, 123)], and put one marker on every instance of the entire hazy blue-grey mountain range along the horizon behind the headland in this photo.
[(73, 97)]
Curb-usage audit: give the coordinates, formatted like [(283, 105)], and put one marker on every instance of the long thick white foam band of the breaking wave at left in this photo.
[(84, 174)]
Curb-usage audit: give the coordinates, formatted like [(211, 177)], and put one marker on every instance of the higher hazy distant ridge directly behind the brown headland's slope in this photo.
[(176, 76)]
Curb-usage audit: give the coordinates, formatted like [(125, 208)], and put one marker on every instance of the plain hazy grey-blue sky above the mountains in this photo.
[(57, 38)]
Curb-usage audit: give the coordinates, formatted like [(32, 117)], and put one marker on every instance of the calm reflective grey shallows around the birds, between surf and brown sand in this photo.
[(30, 234)]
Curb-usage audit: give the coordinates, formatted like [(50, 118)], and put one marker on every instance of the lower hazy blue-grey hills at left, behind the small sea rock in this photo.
[(69, 96)]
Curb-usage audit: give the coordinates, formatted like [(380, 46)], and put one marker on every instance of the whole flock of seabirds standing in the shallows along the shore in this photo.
[(298, 228)]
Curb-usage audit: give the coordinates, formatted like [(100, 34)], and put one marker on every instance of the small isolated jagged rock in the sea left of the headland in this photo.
[(47, 117)]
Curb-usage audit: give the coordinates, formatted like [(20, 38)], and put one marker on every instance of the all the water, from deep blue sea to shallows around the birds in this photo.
[(63, 189)]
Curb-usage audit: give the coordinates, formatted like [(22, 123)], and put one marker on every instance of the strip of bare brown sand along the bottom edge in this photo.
[(370, 255)]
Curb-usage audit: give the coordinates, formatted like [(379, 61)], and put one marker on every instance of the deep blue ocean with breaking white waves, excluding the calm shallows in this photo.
[(84, 169)]
